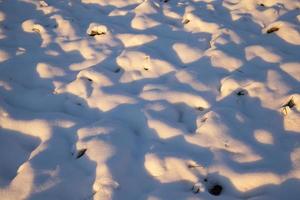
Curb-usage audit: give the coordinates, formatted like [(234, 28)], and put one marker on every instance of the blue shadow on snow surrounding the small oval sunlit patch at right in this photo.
[(239, 114)]
